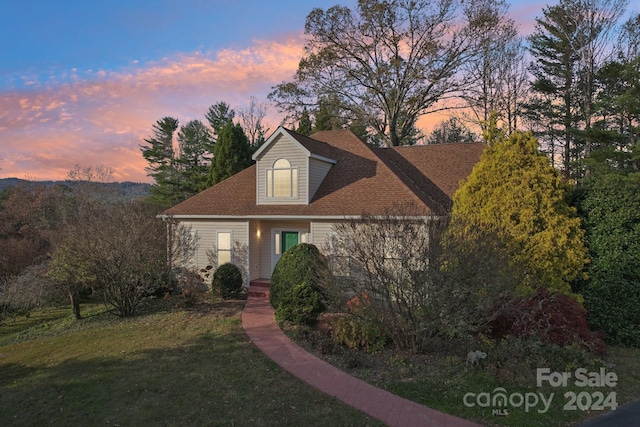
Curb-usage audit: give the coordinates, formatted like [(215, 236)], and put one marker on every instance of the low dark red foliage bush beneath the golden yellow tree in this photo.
[(554, 318)]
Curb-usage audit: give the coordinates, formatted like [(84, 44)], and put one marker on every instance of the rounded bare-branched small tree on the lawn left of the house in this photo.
[(121, 248)]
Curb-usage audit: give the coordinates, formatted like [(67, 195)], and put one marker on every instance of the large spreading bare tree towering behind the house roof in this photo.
[(387, 63)]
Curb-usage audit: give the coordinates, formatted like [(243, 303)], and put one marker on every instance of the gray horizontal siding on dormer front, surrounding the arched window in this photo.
[(283, 148)]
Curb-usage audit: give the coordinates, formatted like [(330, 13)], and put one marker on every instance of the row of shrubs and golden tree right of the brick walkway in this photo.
[(525, 266)]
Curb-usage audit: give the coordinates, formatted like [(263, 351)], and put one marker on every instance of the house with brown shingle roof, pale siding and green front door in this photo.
[(300, 186)]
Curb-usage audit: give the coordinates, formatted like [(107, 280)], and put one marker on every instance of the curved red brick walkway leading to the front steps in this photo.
[(259, 323)]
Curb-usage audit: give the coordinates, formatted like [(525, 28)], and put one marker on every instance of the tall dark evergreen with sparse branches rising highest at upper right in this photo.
[(569, 46)]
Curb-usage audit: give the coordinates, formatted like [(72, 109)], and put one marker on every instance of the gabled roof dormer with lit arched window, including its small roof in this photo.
[(290, 168)]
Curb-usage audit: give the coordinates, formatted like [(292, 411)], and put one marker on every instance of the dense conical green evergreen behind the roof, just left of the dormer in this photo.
[(232, 153)]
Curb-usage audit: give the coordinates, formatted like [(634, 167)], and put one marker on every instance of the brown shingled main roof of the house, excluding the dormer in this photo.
[(363, 179)]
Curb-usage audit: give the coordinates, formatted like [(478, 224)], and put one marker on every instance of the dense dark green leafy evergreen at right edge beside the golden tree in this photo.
[(609, 205)]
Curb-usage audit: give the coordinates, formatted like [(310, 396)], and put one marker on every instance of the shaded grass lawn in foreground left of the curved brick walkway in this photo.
[(214, 378)]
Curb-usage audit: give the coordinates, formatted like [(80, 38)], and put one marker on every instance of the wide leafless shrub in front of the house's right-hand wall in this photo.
[(415, 279)]
